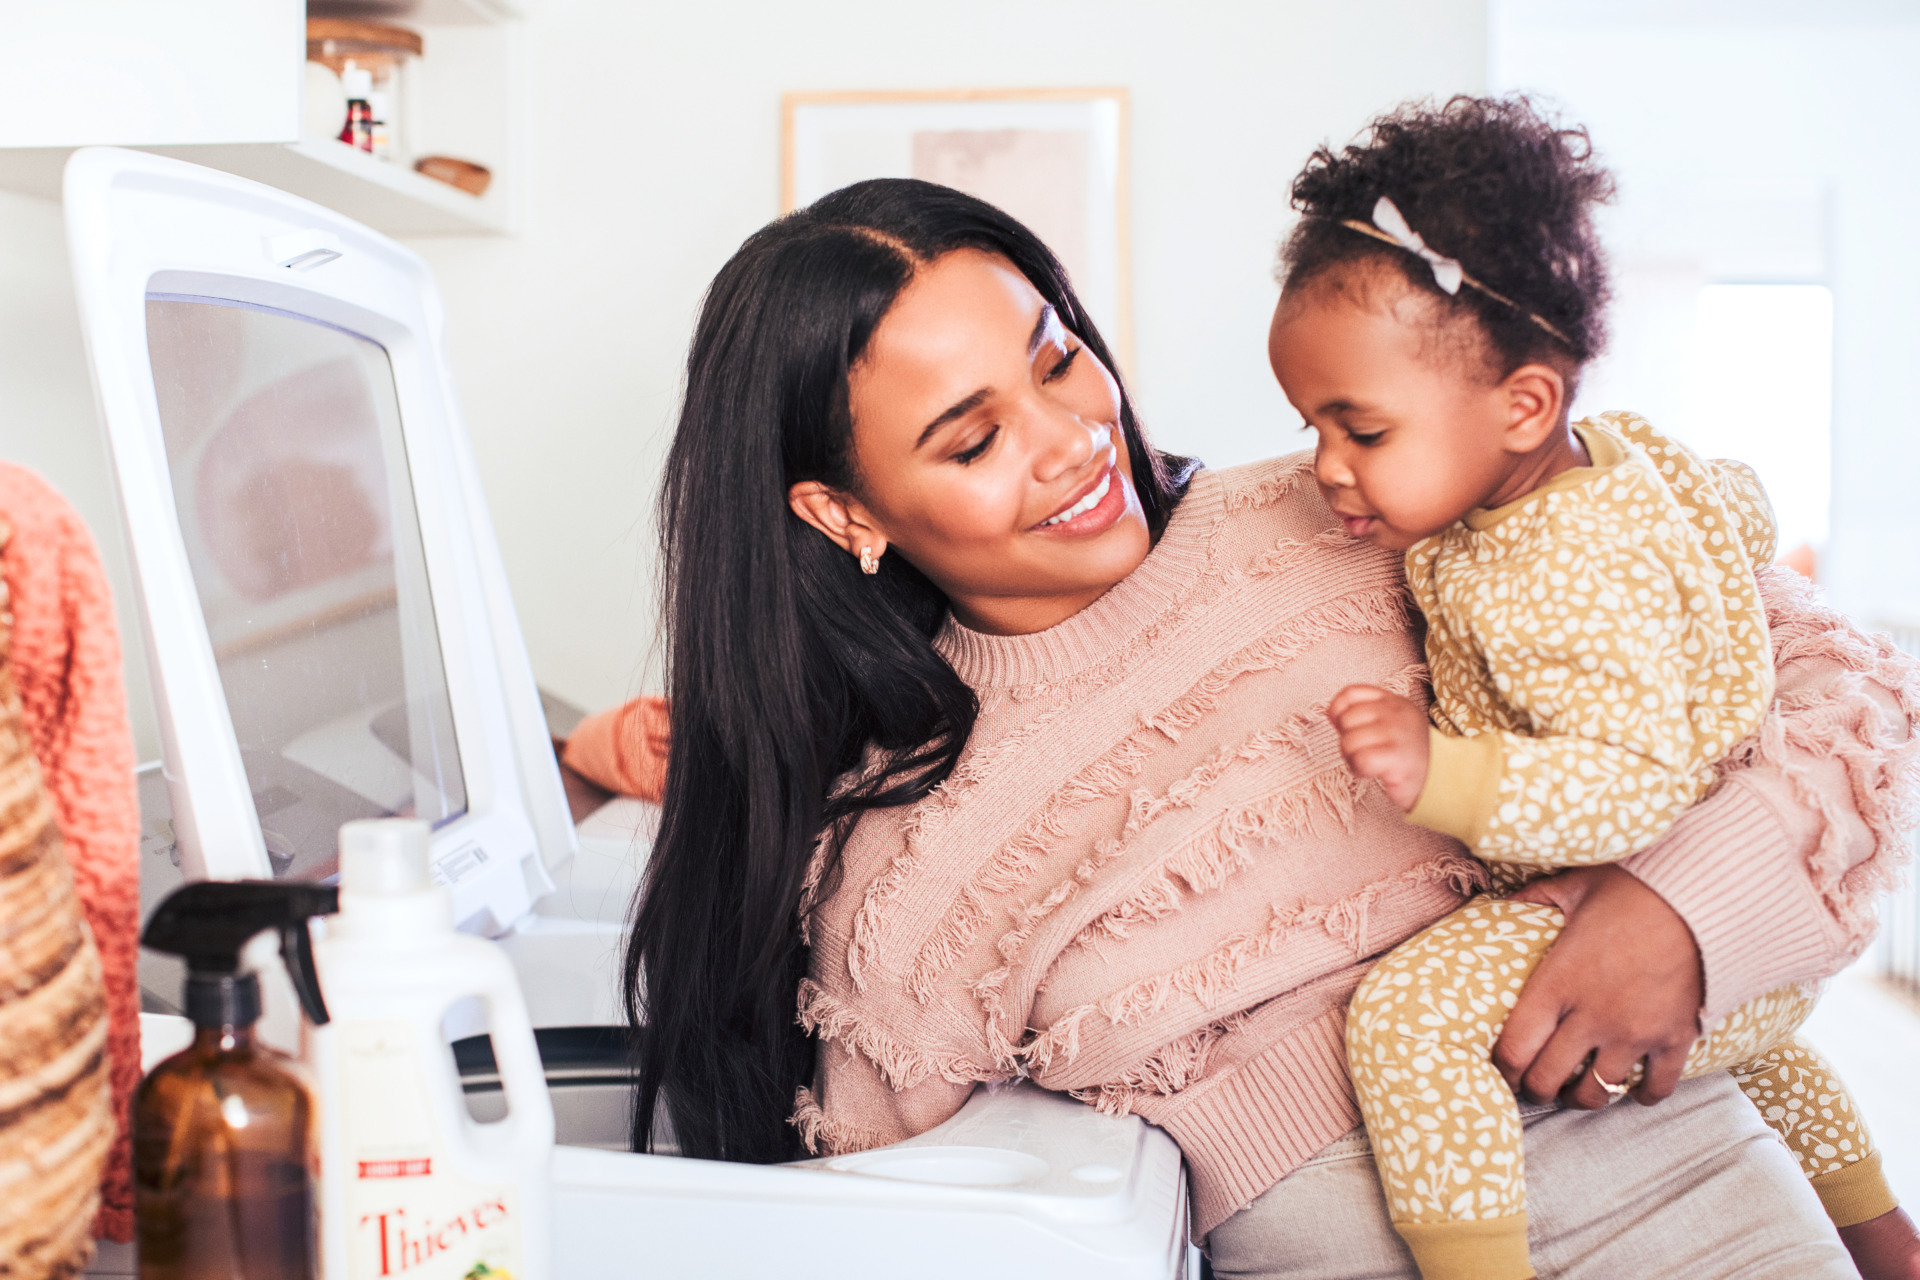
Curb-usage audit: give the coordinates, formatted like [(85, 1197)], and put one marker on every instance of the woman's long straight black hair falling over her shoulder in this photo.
[(804, 692)]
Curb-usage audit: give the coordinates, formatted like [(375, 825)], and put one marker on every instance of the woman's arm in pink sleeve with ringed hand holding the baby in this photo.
[(1771, 880)]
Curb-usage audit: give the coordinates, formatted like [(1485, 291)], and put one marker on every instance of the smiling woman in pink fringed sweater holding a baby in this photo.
[(999, 738)]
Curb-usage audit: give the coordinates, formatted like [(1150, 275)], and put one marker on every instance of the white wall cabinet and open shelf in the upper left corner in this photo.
[(231, 101)]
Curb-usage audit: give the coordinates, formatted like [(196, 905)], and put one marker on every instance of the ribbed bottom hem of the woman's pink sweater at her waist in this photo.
[(1249, 1129)]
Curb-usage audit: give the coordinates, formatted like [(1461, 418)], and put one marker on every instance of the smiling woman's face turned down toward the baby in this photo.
[(990, 452)]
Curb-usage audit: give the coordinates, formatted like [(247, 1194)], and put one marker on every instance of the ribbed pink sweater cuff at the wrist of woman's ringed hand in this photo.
[(1739, 878)]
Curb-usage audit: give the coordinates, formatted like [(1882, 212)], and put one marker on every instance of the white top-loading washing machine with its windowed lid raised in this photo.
[(331, 638)]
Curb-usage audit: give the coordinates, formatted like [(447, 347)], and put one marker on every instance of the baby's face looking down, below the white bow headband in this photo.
[(1410, 431)]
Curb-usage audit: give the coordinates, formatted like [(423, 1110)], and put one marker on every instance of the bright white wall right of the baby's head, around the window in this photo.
[(1765, 141)]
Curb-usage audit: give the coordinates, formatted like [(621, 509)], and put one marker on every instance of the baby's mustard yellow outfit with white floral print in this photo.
[(1596, 648)]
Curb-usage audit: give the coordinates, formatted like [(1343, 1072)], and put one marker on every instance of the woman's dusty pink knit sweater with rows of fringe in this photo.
[(1155, 886)]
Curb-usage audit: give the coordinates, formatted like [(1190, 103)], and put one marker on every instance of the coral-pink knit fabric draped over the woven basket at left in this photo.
[(66, 655)]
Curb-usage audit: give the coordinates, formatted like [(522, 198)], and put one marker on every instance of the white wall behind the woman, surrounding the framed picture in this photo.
[(654, 151)]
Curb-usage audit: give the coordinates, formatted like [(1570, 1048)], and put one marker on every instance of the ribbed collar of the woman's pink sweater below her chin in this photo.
[(1163, 581)]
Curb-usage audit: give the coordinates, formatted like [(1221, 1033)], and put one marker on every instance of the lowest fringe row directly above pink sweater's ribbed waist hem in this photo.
[(1211, 980)]
